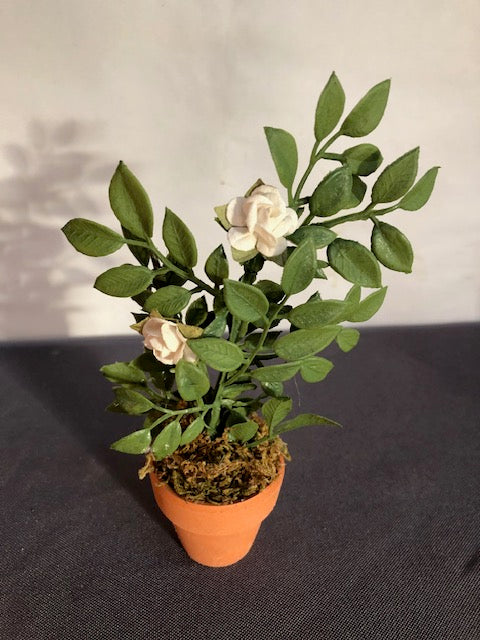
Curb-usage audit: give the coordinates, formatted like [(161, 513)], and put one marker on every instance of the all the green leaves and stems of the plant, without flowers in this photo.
[(230, 325)]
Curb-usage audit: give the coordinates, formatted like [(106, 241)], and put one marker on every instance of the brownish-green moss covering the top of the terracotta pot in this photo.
[(219, 471)]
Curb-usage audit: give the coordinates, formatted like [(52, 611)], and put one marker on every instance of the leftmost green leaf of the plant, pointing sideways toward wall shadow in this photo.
[(91, 238)]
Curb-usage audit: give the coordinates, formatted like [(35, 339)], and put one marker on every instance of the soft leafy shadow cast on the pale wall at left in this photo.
[(51, 181)]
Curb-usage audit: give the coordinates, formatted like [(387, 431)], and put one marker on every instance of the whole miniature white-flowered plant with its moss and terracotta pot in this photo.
[(208, 385)]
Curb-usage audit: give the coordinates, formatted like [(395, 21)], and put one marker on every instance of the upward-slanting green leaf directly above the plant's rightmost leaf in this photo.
[(397, 178)]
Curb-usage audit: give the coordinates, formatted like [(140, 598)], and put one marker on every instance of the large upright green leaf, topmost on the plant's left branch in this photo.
[(130, 203)]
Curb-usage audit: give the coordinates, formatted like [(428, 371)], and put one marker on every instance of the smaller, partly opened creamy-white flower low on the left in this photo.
[(167, 343)]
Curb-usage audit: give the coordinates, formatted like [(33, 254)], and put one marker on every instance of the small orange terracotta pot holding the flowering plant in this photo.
[(217, 535)]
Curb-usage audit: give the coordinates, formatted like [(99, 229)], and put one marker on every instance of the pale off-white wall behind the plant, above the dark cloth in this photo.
[(180, 90)]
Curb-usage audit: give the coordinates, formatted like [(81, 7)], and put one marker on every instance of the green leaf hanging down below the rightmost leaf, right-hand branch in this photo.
[(392, 247)]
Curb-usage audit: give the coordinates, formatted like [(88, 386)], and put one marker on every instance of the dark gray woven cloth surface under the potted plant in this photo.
[(376, 533)]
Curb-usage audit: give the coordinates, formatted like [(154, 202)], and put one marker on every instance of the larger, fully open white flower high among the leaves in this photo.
[(261, 221)]
